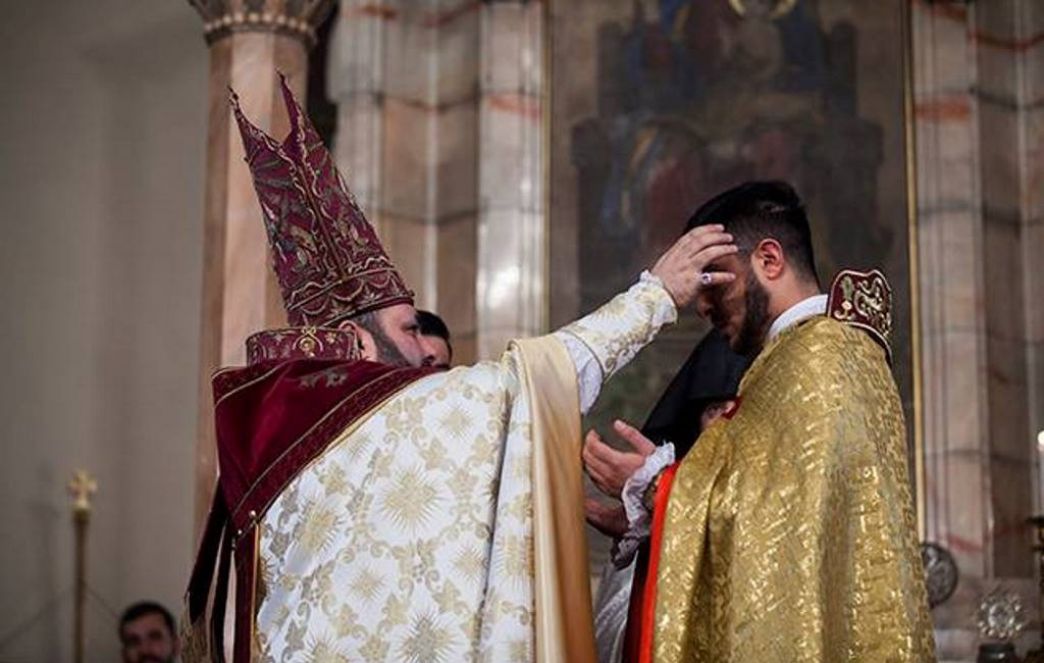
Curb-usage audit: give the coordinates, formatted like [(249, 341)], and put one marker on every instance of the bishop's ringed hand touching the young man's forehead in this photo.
[(682, 268)]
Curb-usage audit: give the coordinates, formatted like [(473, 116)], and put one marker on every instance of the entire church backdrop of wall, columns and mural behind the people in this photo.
[(521, 160)]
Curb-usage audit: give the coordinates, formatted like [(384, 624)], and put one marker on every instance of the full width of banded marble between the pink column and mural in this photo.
[(441, 135)]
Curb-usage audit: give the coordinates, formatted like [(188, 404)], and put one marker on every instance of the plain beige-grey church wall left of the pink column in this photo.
[(104, 128)]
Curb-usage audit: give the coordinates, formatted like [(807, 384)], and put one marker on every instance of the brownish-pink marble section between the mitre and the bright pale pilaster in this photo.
[(406, 80)]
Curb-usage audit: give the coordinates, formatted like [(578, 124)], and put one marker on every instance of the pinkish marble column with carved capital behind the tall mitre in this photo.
[(249, 41)]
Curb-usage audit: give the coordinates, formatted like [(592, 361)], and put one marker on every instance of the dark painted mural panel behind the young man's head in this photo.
[(657, 106)]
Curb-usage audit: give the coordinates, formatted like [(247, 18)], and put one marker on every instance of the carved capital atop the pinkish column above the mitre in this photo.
[(297, 18)]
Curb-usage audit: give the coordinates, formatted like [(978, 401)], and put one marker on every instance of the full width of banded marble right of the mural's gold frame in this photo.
[(976, 74)]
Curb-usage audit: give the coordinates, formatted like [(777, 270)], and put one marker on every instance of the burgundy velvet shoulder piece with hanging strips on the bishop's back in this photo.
[(273, 419)]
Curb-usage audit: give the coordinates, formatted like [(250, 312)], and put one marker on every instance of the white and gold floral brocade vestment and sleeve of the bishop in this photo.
[(411, 538)]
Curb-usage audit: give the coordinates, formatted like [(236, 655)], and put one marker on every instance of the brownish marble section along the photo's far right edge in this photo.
[(1004, 39)]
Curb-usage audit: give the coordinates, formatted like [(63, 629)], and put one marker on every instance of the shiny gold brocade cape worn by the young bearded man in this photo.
[(790, 533)]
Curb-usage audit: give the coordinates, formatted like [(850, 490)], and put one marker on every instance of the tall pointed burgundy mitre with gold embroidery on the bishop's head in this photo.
[(329, 263)]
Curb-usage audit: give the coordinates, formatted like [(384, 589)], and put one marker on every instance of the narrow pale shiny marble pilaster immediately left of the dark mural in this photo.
[(513, 233)]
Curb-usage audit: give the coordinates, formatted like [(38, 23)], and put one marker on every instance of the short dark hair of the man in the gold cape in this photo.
[(757, 210)]
